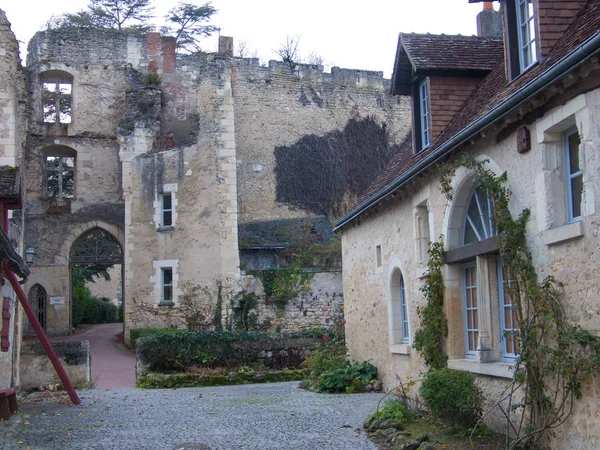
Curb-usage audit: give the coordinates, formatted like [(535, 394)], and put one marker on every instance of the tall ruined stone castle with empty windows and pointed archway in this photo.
[(146, 159)]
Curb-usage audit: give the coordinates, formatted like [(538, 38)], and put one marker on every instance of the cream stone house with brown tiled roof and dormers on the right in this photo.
[(530, 108)]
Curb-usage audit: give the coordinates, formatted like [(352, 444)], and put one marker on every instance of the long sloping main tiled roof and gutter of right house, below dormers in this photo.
[(491, 94)]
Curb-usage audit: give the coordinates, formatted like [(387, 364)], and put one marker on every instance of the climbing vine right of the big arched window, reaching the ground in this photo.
[(555, 356)]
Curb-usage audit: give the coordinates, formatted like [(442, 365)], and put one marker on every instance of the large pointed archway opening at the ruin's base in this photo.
[(95, 260)]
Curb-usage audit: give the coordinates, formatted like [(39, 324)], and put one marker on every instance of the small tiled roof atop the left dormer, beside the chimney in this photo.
[(431, 51)]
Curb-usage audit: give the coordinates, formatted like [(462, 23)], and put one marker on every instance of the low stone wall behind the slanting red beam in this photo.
[(37, 370)]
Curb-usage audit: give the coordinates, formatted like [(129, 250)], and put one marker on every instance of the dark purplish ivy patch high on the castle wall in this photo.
[(324, 174)]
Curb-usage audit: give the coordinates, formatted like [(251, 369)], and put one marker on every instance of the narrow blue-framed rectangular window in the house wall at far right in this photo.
[(573, 175)]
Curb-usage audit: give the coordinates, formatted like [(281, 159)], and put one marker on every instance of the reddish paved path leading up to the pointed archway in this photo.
[(113, 366)]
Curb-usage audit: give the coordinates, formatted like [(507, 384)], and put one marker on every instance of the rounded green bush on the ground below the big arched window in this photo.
[(453, 394)]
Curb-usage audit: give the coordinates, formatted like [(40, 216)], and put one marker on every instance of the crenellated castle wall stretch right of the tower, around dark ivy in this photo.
[(277, 108)]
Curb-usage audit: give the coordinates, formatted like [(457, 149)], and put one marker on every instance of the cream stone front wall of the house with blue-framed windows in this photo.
[(568, 251)]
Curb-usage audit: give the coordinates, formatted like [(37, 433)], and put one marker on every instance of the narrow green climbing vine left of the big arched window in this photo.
[(434, 325)]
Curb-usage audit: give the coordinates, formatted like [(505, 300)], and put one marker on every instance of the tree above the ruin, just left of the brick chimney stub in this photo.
[(189, 24)]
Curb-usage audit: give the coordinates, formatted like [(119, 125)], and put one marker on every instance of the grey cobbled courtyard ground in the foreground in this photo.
[(265, 416)]
